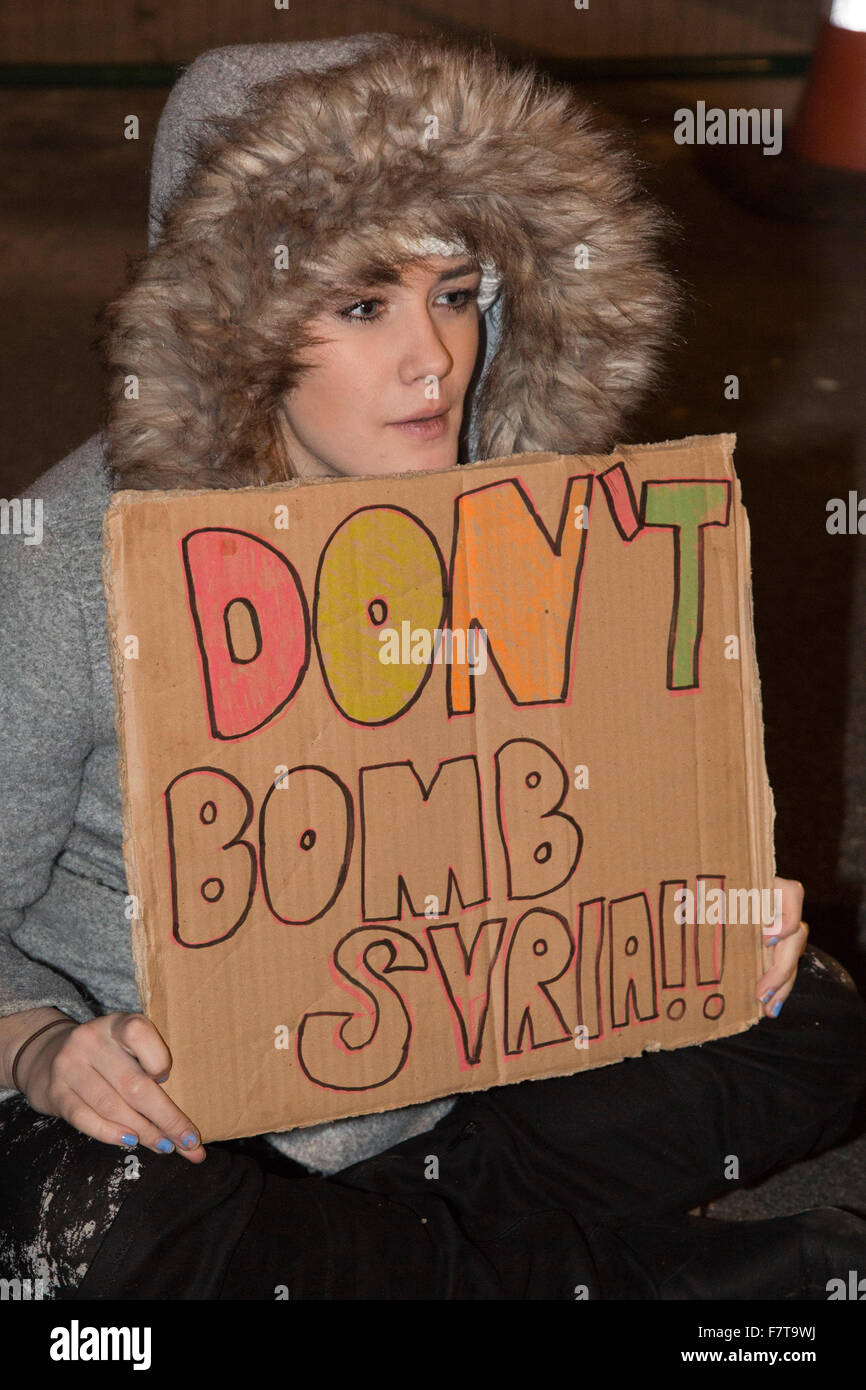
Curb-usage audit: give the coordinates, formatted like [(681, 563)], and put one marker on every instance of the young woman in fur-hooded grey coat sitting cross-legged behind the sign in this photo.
[(415, 259)]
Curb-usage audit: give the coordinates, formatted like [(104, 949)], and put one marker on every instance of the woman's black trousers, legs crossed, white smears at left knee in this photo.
[(522, 1192)]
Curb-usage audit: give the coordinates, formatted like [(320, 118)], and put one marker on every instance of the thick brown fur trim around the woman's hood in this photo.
[(412, 140)]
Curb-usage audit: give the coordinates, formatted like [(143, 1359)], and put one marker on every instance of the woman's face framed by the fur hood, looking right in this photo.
[(402, 352)]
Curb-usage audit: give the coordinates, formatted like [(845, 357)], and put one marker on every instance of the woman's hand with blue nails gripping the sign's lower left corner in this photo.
[(101, 1077)]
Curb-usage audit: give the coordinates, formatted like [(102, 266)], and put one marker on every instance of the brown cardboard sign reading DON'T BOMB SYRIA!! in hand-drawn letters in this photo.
[(439, 782)]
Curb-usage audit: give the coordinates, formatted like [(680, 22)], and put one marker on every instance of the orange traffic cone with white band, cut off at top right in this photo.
[(831, 126)]
